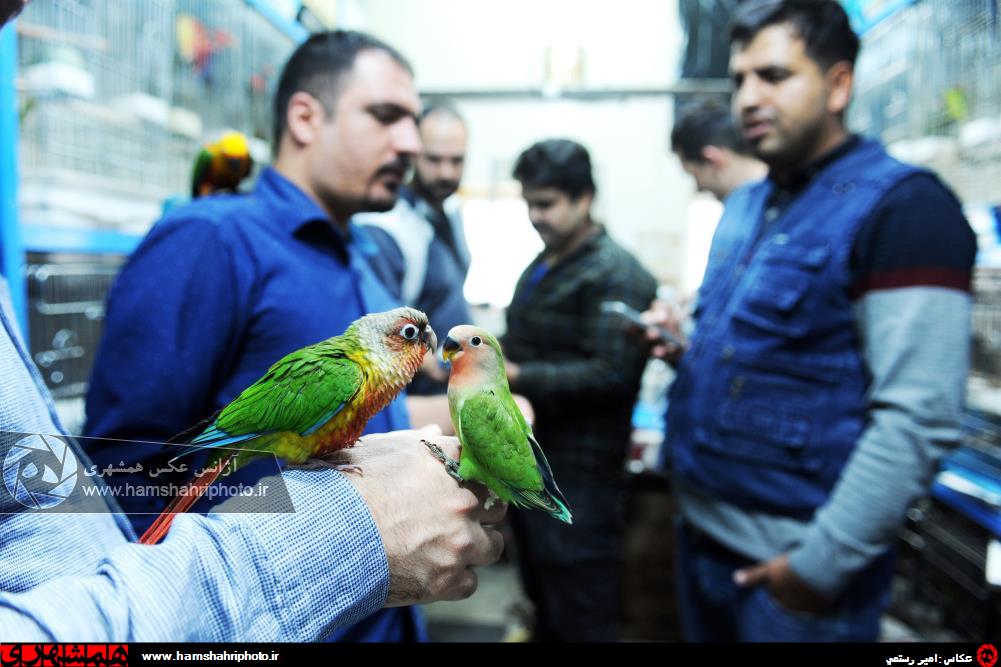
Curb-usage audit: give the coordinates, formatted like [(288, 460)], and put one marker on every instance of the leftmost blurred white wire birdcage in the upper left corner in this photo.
[(96, 85)]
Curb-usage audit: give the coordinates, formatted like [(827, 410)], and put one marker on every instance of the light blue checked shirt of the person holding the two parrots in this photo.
[(74, 575)]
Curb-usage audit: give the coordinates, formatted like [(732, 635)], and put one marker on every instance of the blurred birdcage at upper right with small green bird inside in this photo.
[(927, 85)]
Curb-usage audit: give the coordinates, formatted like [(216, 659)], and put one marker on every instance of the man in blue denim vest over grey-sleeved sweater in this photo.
[(826, 371)]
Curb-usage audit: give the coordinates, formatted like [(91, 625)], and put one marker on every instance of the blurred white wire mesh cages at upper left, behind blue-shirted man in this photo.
[(127, 93)]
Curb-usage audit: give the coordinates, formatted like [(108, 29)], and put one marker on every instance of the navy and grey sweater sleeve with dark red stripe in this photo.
[(912, 267)]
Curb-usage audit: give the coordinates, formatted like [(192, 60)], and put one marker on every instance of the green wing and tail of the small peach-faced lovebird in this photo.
[(503, 444)]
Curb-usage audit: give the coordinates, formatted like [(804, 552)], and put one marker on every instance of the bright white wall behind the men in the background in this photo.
[(480, 46)]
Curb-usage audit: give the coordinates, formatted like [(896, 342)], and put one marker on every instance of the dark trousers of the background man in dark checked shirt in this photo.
[(572, 573)]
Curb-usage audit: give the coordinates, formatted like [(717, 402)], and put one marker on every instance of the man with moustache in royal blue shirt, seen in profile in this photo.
[(222, 289)]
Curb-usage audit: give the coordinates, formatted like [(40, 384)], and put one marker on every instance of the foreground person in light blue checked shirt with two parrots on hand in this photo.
[(353, 544)]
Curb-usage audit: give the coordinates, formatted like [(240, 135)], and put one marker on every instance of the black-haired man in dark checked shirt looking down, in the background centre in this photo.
[(582, 375)]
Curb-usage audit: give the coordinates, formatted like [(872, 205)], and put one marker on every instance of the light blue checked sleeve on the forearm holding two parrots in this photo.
[(226, 577)]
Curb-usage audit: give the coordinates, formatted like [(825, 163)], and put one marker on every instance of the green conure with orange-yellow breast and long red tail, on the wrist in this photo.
[(313, 402)]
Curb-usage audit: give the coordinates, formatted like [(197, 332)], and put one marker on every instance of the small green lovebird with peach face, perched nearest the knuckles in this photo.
[(499, 449)]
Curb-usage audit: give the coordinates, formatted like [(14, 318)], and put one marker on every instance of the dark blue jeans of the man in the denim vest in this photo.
[(715, 609)]
